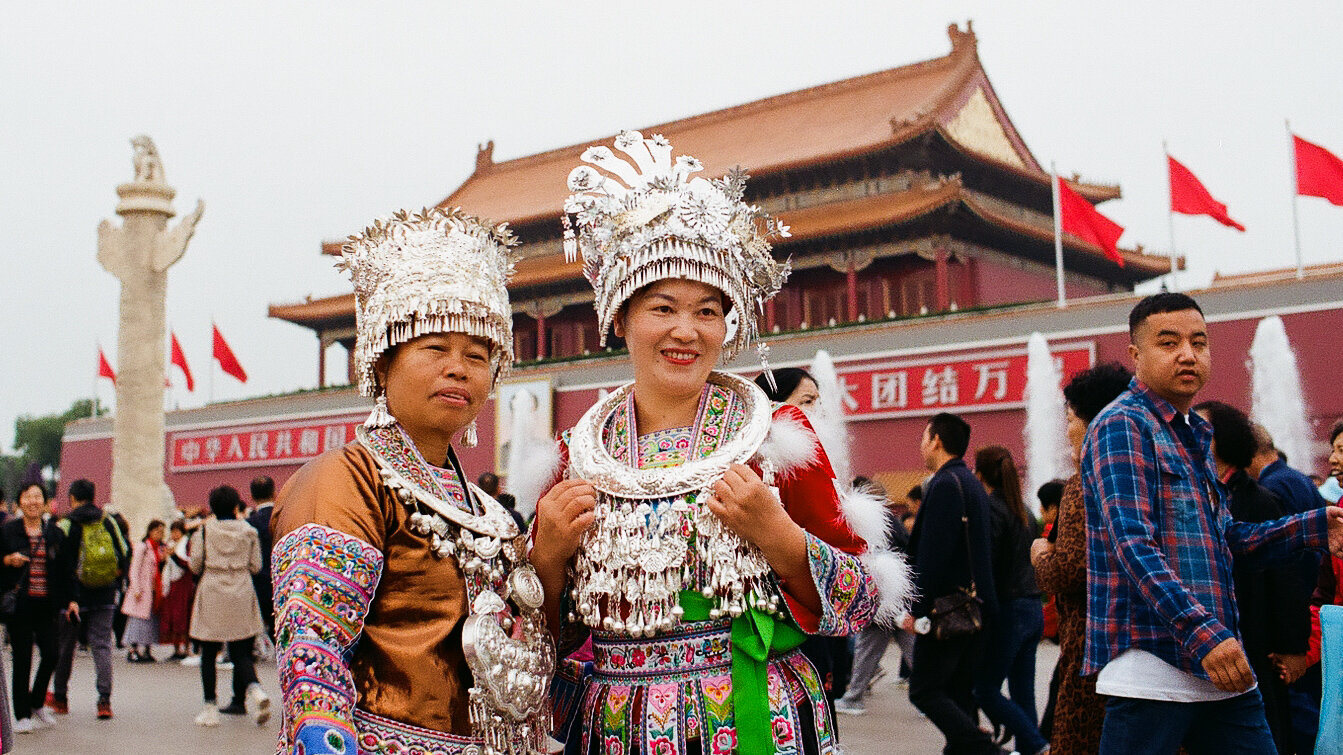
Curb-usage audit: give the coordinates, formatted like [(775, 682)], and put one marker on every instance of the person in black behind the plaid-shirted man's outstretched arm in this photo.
[(1274, 604)]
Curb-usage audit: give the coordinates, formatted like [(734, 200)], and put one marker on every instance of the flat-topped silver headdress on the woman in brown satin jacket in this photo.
[(433, 272)]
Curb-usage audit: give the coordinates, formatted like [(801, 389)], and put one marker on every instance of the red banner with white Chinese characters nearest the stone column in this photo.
[(259, 445)]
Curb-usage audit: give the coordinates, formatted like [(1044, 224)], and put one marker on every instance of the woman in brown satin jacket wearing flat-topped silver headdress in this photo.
[(408, 616)]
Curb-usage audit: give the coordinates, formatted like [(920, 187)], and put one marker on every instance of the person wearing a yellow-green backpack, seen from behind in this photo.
[(97, 556)]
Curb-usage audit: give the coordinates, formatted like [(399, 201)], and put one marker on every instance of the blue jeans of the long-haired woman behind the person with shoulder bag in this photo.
[(1013, 640)]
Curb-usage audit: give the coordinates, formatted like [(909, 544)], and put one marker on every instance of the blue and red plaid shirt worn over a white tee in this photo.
[(1161, 539)]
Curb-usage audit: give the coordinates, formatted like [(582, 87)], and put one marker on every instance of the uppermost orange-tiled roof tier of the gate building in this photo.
[(796, 131)]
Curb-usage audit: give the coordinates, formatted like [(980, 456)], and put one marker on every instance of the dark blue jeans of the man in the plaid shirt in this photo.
[(1235, 726)]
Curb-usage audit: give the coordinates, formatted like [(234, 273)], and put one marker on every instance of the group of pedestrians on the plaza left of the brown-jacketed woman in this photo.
[(79, 584)]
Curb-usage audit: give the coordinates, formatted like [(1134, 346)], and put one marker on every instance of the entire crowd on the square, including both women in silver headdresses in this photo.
[(696, 580)]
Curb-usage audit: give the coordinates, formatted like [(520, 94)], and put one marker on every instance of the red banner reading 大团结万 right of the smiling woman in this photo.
[(925, 386)]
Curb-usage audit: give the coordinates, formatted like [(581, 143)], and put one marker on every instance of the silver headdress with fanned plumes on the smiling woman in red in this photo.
[(643, 220)]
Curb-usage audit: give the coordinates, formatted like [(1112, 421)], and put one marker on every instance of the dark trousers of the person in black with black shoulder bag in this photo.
[(941, 687)]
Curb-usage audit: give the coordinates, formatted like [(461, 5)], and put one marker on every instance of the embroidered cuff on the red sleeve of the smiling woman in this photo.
[(848, 592)]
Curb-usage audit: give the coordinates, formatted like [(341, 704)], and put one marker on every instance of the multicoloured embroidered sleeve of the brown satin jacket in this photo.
[(324, 584)]
